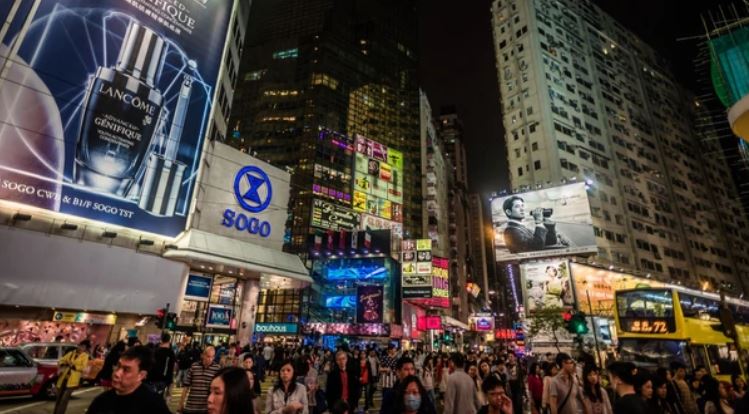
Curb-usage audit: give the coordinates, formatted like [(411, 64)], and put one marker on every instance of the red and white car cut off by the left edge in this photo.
[(21, 376)]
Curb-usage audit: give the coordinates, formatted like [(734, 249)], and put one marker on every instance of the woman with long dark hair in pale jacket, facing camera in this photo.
[(287, 395)]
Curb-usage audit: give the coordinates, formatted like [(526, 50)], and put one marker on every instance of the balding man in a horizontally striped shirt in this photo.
[(198, 382)]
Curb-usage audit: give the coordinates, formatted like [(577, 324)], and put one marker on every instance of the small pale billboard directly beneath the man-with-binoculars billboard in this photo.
[(546, 284)]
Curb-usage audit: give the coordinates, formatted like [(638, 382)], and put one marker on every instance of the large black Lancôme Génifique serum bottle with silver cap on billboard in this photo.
[(122, 109)]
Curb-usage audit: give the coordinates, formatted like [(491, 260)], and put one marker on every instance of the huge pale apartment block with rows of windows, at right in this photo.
[(583, 98)]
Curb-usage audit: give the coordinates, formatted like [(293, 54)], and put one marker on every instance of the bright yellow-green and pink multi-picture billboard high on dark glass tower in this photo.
[(378, 180)]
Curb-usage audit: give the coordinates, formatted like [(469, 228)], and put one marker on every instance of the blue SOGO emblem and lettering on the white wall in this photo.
[(253, 191)]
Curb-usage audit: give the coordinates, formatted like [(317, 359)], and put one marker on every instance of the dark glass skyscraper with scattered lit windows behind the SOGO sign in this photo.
[(347, 66)]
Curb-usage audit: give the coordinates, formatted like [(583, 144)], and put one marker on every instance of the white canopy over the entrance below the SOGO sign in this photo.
[(204, 247)]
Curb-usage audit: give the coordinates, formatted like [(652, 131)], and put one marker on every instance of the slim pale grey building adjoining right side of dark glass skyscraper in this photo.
[(435, 184)]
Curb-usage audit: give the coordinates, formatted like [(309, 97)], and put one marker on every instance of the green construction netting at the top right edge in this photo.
[(729, 65)]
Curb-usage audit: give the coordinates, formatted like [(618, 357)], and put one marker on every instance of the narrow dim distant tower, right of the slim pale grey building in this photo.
[(450, 130)]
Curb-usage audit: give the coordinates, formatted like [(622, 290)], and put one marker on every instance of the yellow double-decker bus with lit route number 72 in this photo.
[(659, 325)]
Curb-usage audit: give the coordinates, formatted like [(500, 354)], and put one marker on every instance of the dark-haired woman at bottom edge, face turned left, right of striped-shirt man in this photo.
[(230, 392)]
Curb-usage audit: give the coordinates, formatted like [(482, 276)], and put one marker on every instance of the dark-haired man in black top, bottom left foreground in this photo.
[(128, 394)]
